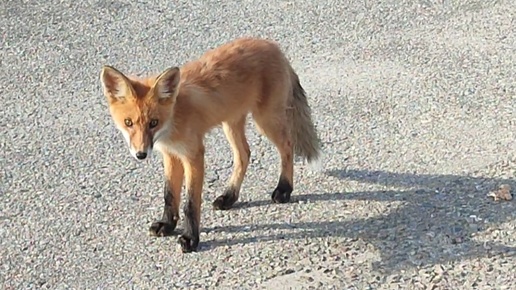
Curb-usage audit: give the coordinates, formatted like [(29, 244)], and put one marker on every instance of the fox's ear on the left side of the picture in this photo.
[(116, 86)]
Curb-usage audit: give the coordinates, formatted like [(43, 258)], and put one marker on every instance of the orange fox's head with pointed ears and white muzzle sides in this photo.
[(141, 109)]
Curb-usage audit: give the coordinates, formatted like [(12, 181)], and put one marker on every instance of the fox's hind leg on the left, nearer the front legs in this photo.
[(235, 133)]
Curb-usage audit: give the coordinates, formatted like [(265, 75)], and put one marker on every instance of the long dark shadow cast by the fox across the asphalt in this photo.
[(437, 221)]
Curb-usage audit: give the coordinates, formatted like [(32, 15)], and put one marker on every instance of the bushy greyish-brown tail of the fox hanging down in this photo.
[(305, 139)]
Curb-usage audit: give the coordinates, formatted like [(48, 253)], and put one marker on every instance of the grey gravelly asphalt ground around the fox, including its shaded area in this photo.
[(415, 102)]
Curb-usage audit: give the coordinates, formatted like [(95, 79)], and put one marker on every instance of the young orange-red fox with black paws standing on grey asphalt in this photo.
[(172, 111)]
